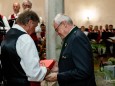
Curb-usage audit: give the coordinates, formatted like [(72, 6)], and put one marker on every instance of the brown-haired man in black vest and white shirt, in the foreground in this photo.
[(19, 57)]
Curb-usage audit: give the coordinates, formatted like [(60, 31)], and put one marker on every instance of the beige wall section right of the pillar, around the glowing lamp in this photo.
[(104, 11)]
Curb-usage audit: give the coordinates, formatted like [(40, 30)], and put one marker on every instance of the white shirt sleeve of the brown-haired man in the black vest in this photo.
[(27, 51)]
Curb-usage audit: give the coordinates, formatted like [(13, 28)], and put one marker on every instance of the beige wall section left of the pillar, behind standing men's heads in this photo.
[(6, 6)]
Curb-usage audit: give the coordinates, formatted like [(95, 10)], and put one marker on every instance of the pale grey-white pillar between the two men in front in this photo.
[(53, 42)]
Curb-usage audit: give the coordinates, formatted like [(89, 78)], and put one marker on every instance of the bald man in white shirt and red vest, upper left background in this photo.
[(12, 18)]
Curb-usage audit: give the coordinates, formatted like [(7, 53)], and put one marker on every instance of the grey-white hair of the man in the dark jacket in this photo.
[(61, 17)]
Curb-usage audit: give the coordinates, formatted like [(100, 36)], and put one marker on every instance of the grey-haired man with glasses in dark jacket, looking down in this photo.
[(75, 64)]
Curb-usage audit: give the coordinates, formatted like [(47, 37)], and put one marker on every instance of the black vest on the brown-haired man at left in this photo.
[(10, 59)]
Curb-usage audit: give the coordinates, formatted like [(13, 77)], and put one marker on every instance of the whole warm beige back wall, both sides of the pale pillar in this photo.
[(105, 13)]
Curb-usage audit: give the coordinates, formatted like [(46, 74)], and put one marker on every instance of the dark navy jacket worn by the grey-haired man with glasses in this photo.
[(76, 61)]
